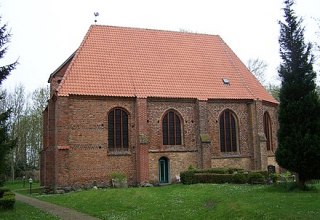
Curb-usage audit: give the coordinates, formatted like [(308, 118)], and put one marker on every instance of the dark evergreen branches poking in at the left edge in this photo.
[(6, 144)]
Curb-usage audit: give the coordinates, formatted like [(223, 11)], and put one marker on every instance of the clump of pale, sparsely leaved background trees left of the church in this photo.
[(25, 127)]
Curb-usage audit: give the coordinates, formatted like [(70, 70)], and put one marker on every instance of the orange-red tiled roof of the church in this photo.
[(133, 62)]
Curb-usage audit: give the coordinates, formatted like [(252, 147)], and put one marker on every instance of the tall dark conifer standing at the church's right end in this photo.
[(299, 132)]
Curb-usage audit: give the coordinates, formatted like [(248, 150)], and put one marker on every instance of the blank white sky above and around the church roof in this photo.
[(46, 32)]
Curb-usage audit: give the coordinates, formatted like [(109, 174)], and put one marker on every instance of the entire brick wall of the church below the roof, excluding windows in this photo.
[(80, 152)]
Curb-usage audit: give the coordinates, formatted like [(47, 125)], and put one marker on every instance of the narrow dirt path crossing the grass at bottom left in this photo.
[(61, 212)]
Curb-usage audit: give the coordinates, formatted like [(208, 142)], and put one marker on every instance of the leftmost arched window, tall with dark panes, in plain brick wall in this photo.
[(118, 129)]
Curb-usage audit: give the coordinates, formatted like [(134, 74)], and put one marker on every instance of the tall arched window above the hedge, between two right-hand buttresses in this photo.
[(228, 132)]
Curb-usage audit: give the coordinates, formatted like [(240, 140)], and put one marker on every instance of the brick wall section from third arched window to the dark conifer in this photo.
[(250, 124)]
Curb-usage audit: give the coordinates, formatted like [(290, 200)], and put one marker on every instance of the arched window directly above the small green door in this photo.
[(171, 129)]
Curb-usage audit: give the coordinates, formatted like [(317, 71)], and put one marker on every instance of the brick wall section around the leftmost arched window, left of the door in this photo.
[(84, 129)]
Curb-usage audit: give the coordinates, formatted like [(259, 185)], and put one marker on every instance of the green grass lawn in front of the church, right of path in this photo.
[(201, 201)]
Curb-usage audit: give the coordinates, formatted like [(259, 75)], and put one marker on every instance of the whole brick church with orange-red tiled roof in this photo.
[(149, 104)]
